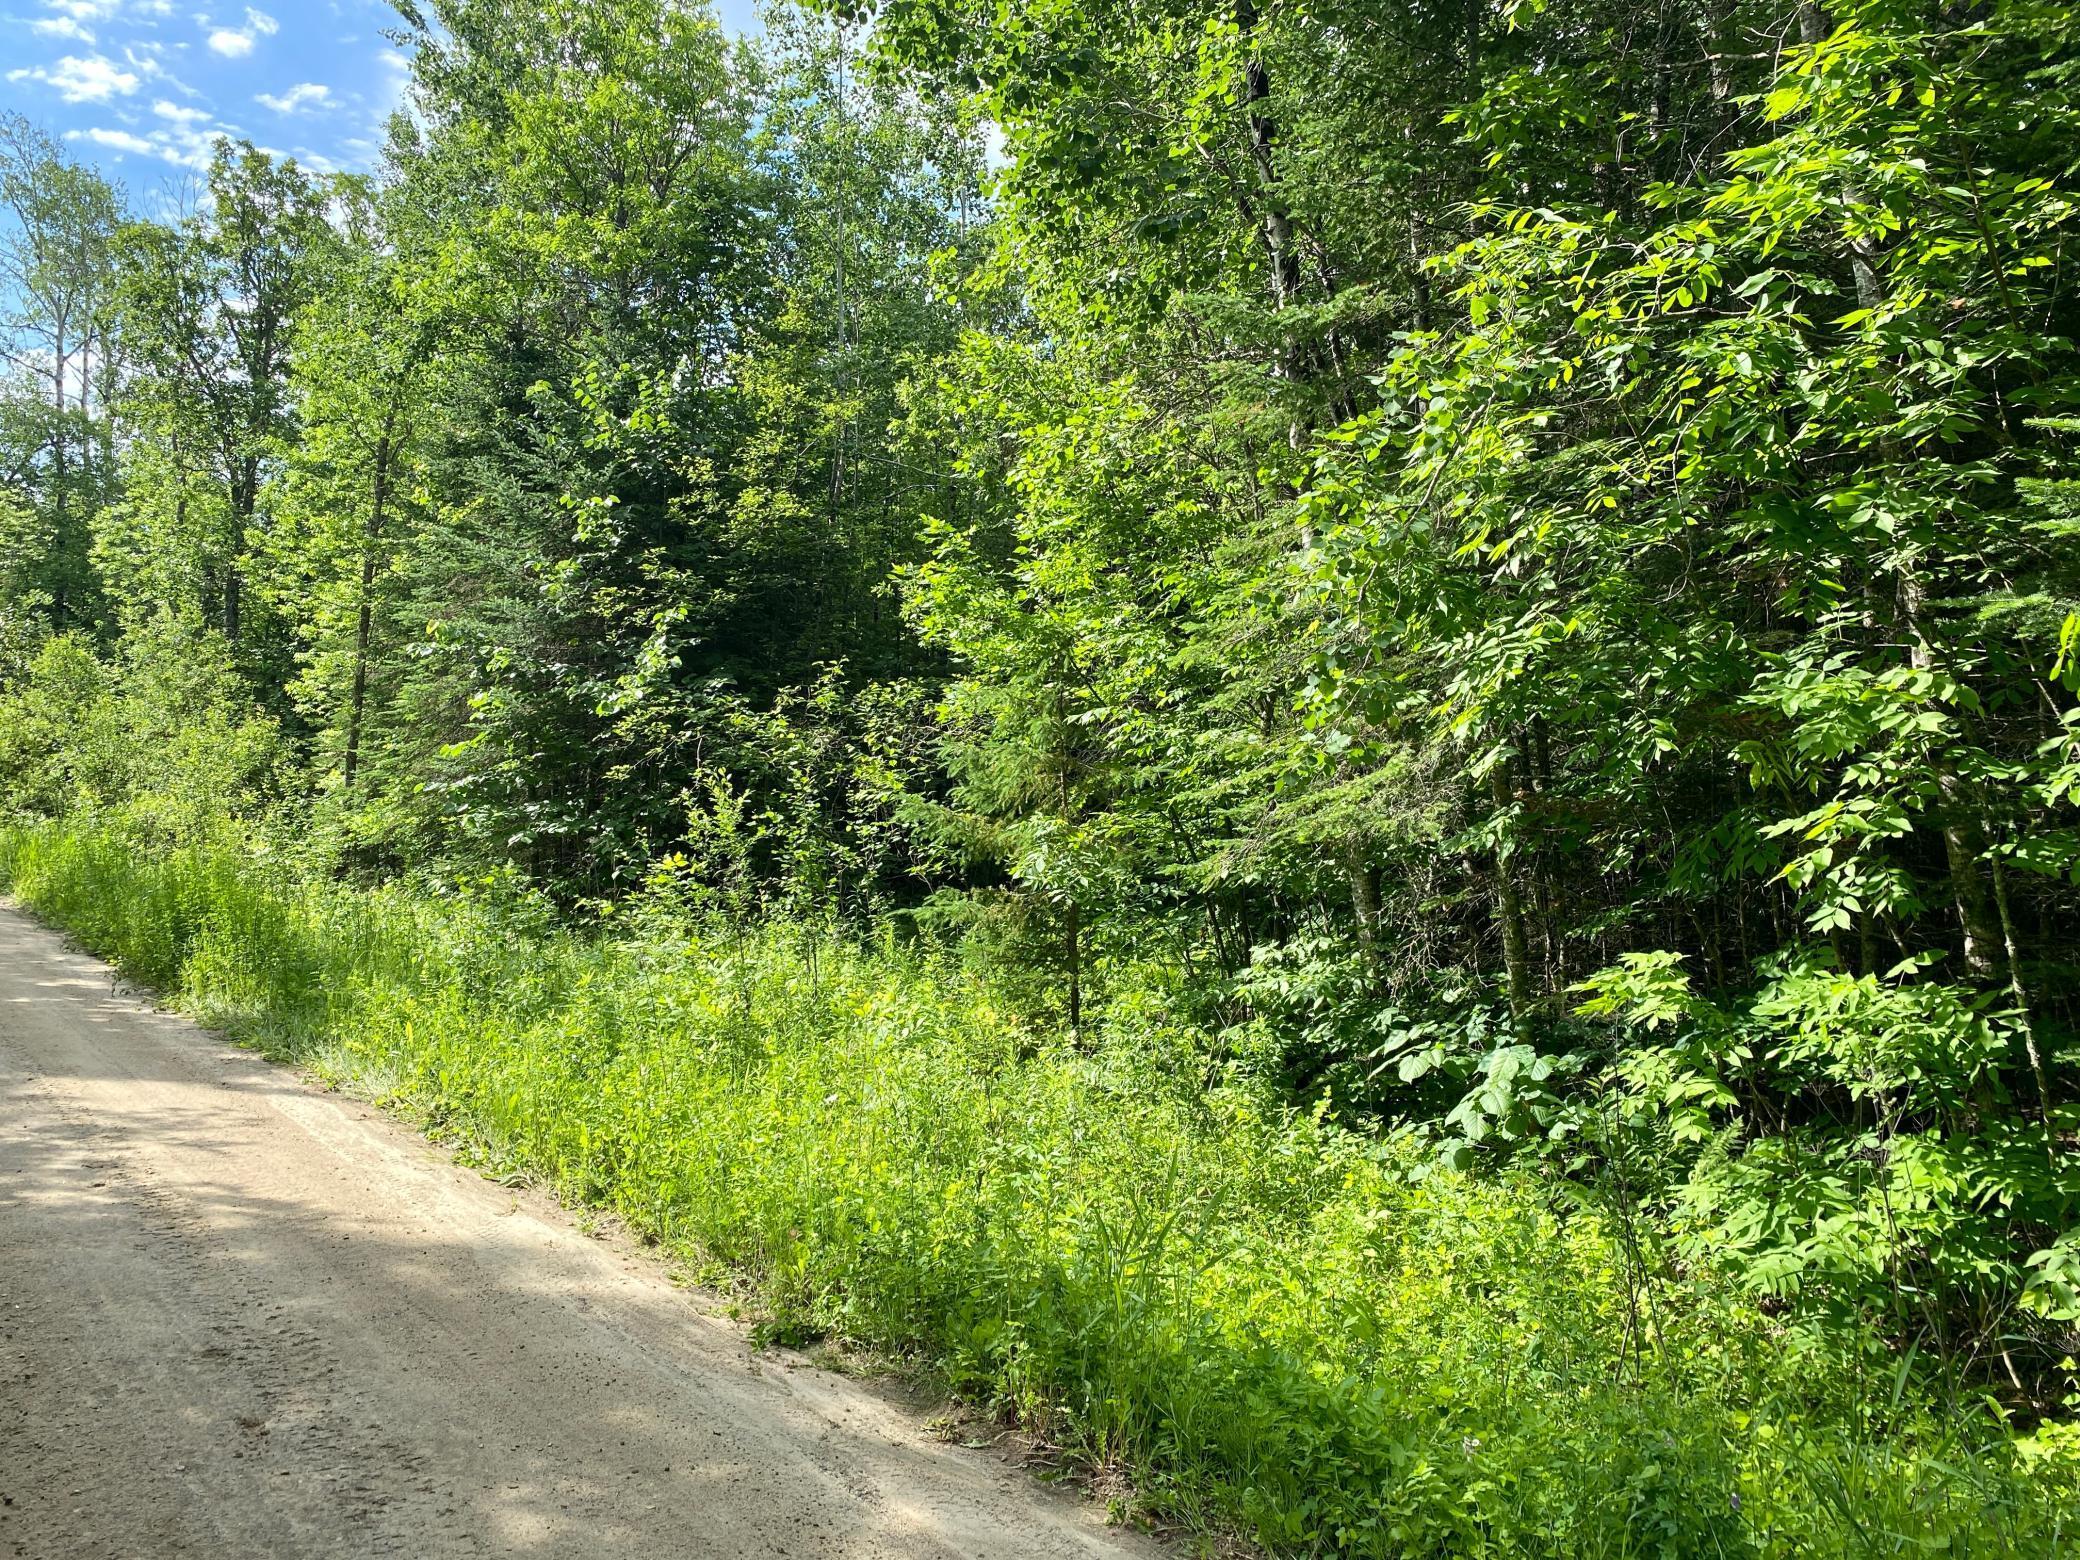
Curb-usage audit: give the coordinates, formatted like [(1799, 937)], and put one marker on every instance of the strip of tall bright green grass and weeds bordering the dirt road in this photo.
[(1268, 1320)]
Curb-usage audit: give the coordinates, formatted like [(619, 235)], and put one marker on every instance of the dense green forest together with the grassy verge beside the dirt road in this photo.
[(1330, 746)]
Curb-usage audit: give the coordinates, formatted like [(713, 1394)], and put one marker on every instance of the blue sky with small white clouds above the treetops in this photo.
[(142, 88)]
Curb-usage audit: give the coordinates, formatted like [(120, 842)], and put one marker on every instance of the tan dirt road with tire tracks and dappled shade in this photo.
[(244, 1318)]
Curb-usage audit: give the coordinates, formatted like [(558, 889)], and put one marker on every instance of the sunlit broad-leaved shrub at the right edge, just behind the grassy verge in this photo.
[(1834, 1143)]
